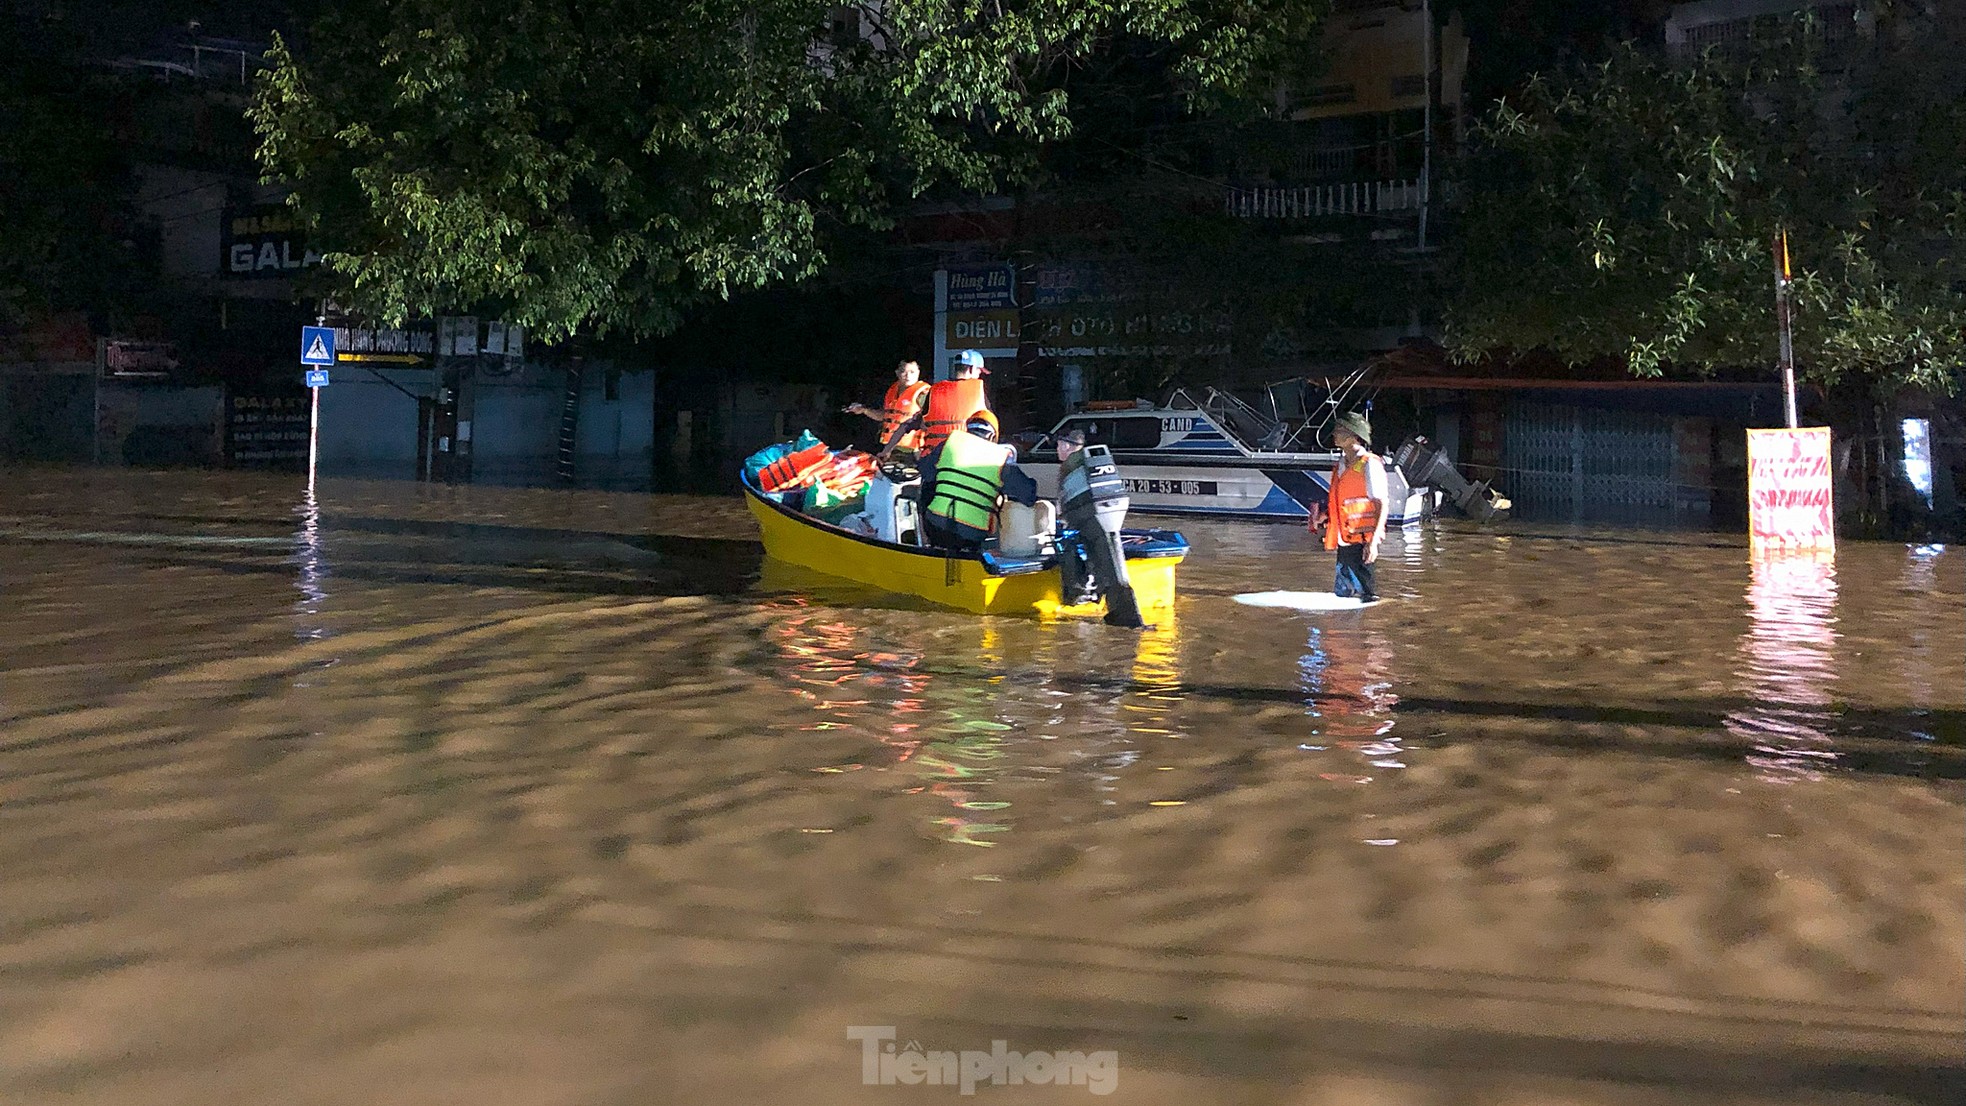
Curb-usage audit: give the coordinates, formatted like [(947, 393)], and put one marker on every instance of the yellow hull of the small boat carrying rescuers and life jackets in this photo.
[(986, 584)]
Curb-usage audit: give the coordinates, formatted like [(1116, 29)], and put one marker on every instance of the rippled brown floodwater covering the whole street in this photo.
[(420, 795)]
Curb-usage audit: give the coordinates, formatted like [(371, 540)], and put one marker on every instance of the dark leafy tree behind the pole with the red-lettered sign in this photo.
[(1629, 211)]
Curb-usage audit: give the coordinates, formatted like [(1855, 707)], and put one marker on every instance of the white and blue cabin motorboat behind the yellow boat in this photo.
[(1212, 455)]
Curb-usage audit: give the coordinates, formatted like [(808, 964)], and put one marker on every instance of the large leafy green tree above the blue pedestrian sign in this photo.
[(610, 164)]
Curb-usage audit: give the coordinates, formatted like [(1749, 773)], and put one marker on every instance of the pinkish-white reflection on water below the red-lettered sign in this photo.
[(1788, 667)]
